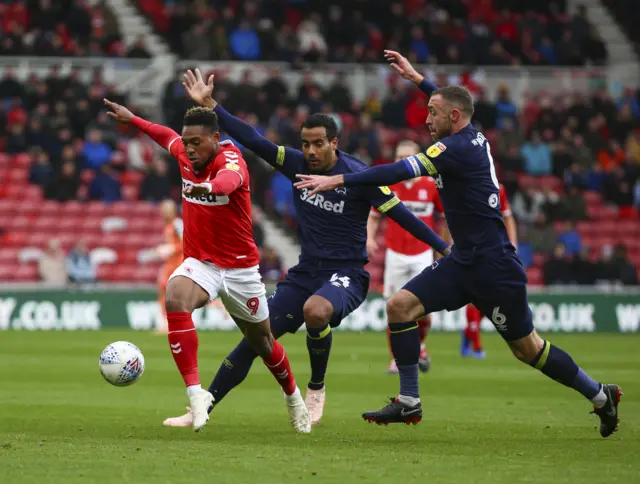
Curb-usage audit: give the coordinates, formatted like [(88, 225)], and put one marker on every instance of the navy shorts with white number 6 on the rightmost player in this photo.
[(497, 286)]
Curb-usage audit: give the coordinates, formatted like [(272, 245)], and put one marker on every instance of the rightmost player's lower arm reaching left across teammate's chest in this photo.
[(381, 175)]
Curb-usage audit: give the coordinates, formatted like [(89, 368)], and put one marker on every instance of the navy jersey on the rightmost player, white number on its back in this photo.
[(463, 169)]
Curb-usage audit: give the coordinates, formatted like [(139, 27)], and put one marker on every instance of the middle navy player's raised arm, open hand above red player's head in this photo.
[(201, 93)]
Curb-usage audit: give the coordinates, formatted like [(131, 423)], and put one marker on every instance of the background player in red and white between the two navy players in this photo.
[(406, 256)]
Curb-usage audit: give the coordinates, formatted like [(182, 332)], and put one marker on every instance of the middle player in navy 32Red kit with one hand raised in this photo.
[(329, 281)]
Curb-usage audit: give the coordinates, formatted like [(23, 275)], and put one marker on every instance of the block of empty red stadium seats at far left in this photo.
[(29, 221)]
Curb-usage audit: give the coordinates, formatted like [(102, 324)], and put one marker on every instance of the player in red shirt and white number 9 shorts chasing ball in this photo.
[(220, 257)]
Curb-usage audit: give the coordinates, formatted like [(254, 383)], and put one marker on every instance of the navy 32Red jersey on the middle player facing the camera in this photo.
[(333, 225)]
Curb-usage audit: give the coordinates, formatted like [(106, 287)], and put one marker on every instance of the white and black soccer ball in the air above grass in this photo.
[(121, 363)]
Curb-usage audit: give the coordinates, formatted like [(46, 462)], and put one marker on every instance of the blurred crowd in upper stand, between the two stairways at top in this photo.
[(496, 32)]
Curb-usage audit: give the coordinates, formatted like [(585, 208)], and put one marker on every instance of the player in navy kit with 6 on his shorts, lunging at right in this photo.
[(483, 267)]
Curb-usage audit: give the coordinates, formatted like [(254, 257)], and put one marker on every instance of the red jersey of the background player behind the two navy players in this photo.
[(421, 197)]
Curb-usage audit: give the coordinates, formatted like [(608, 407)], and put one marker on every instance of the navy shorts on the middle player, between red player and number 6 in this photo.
[(345, 289)]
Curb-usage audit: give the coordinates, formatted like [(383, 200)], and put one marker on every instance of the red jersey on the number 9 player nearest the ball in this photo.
[(217, 229)]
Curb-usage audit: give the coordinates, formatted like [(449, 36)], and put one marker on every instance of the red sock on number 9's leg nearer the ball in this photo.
[(183, 342)]
